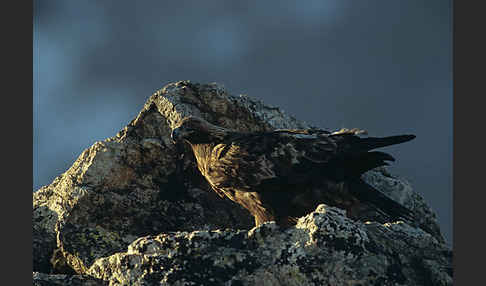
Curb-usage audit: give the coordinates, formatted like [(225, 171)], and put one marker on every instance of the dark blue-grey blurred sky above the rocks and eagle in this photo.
[(383, 66)]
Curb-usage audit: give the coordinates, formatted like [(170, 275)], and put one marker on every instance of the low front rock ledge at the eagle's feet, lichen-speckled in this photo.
[(324, 248)]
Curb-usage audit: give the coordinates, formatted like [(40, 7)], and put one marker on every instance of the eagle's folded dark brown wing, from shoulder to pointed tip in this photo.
[(292, 157)]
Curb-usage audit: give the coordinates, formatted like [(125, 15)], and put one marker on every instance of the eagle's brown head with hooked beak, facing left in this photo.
[(195, 130)]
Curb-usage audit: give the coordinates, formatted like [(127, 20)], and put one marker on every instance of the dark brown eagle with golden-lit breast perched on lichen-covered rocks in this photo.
[(284, 174)]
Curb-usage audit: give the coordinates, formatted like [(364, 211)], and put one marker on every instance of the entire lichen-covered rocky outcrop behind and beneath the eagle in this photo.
[(133, 210)]
